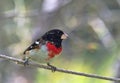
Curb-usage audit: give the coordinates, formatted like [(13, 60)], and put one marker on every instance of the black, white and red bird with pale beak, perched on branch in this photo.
[(45, 48)]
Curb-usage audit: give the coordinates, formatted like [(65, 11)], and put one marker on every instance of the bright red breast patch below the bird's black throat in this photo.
[(53, 50)]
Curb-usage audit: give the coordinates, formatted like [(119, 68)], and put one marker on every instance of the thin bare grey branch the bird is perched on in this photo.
[(31, 64)]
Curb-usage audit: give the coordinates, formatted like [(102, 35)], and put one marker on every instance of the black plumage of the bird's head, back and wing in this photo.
[(53, 36)]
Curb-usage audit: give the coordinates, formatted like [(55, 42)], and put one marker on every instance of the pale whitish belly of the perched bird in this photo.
[(39, 55)]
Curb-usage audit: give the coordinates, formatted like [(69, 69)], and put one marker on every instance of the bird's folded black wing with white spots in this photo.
[(35, 45)]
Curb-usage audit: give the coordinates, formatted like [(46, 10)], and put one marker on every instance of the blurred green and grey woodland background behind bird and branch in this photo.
[(92, 46)]
